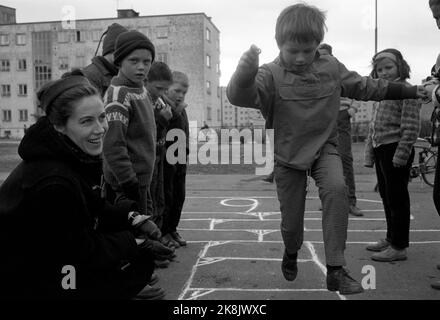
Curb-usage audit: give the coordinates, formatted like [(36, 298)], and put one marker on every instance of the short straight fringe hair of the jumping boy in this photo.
[(300, 23)]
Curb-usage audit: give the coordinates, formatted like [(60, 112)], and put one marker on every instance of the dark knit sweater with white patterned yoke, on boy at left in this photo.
[(130, 142)]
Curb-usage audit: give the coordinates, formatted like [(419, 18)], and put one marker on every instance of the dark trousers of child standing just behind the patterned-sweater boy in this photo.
[(157, 187)]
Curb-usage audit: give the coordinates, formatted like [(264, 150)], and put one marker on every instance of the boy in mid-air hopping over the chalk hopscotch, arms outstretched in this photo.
[(299, 93)]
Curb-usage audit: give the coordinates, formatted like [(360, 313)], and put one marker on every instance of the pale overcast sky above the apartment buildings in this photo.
[(406, 25)]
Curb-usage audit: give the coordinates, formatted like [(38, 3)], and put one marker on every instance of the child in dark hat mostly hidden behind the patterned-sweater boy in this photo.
[(101, 71)]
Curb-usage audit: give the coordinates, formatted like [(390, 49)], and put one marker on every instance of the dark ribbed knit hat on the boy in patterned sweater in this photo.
[(129, 41)]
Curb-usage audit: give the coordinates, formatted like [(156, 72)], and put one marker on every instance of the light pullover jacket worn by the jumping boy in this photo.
[(303, 108)]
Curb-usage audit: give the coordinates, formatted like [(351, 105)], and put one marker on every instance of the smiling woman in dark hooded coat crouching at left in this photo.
[(58, 237)]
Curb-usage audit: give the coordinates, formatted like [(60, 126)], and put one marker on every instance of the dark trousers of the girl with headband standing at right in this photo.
[(393, 189)]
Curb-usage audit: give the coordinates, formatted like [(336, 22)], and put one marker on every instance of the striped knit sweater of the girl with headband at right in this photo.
[(393, 121)]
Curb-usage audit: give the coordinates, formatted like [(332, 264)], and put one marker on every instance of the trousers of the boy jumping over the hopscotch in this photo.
[(292, 190)]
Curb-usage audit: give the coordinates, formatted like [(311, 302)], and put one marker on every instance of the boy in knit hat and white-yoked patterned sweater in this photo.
[(130, 143)]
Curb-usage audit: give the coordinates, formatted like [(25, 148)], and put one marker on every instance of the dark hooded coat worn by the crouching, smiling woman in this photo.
[(51, 214)]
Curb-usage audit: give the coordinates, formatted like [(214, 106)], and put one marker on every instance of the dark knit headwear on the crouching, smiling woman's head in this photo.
[(53, 89)]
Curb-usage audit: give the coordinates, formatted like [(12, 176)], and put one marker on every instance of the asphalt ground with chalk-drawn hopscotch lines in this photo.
[(234, 251)]
